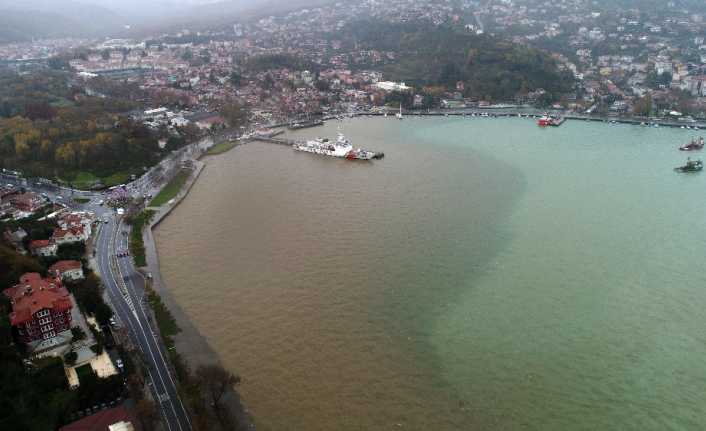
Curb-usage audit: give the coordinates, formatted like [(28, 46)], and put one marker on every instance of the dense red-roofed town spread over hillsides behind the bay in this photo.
[(624, 61)]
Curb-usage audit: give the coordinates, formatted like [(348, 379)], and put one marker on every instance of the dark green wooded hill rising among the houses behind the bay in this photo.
[(490, 68)]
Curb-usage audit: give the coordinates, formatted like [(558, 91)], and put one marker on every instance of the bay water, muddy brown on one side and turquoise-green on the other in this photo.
[(487, 274)]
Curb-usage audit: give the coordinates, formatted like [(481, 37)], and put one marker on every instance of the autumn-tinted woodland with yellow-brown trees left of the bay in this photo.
[(50, 127)]
